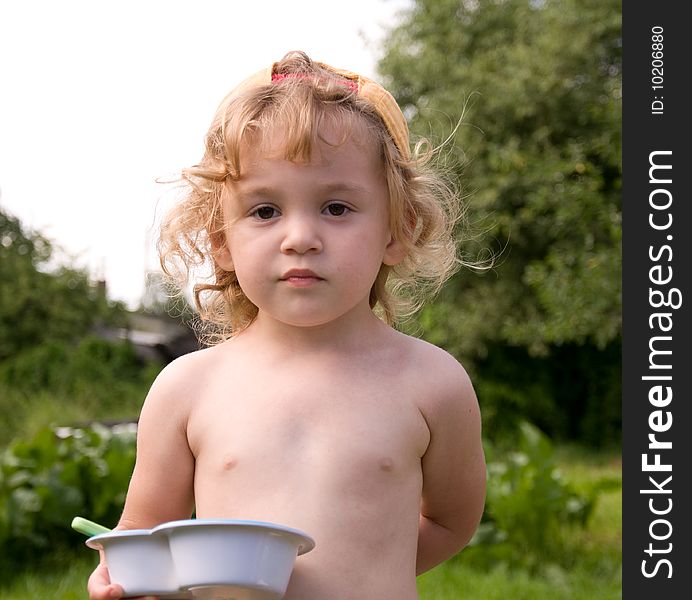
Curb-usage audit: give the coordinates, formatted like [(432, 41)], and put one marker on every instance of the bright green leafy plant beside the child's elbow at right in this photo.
[(530, 508)]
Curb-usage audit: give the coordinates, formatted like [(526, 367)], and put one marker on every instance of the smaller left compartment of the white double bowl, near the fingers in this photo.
[(139, 561)]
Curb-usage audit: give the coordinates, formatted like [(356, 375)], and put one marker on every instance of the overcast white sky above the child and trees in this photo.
[(99, 98)]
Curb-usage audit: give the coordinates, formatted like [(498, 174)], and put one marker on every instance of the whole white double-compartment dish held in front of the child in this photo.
[(206, 559)]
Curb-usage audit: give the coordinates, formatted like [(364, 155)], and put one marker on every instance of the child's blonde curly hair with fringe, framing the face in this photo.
[(423, 206)]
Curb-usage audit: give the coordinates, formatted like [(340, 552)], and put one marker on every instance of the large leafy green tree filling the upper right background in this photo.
[(537, 87)]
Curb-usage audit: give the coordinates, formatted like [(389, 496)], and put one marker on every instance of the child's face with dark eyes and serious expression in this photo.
[(307, 239)]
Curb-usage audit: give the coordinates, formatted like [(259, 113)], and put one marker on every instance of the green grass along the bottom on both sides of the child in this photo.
[(593, 572)]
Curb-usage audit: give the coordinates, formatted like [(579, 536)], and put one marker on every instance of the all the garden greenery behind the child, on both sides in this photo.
[(525, 98)]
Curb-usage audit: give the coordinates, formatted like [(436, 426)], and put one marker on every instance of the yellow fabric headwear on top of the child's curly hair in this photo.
[(380, 99)]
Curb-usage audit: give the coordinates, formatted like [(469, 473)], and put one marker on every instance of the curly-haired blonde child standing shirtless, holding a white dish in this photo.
[(309, 409)]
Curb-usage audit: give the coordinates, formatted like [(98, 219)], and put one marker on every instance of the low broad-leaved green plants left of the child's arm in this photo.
[(56, 475)]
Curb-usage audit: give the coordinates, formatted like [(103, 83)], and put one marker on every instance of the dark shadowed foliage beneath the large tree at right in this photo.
[(574, 393)]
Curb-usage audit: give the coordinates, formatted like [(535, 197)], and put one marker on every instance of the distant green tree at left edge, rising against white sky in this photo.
[(40, 301)]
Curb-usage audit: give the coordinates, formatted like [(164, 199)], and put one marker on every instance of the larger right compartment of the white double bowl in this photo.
[(218, 559)]
